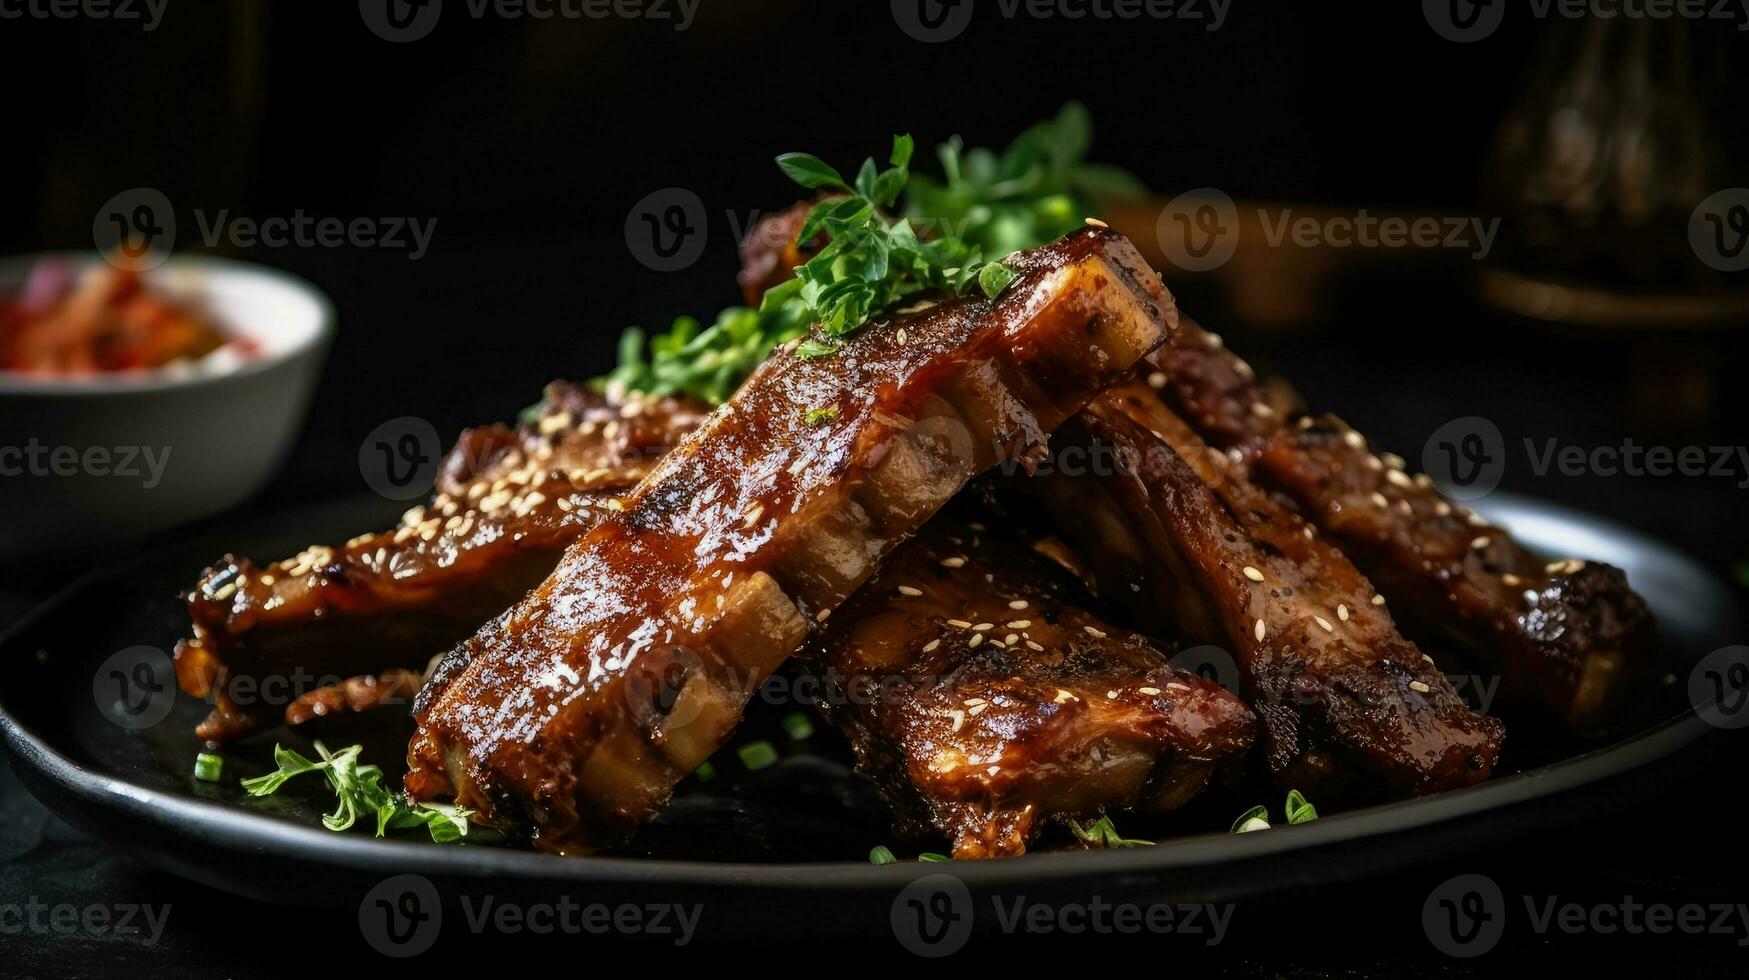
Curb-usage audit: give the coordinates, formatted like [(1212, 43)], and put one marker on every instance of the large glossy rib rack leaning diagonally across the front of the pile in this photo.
[(571, 717)]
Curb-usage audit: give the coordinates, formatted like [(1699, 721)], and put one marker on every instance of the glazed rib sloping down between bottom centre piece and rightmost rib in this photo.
[(1348, 706)]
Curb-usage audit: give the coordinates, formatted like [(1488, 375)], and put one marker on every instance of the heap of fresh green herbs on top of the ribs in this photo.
[(952, 232)]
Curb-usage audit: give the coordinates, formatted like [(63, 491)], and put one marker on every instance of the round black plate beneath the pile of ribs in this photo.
[(790, 839)]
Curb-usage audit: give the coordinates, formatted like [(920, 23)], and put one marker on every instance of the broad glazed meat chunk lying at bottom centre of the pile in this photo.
[(987, 703)]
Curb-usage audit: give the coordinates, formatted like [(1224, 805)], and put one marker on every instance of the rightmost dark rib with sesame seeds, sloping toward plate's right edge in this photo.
[(1566, 634)]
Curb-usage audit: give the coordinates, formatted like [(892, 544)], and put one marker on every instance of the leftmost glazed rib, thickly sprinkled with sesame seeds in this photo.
[(508, 503)]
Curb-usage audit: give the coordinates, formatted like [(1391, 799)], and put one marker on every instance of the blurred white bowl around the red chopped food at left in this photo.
[(109, 458)]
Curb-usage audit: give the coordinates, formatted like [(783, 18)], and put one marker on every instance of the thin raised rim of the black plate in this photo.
[(267, 836)]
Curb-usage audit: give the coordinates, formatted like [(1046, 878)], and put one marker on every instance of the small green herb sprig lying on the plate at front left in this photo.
[(359, 792)]
